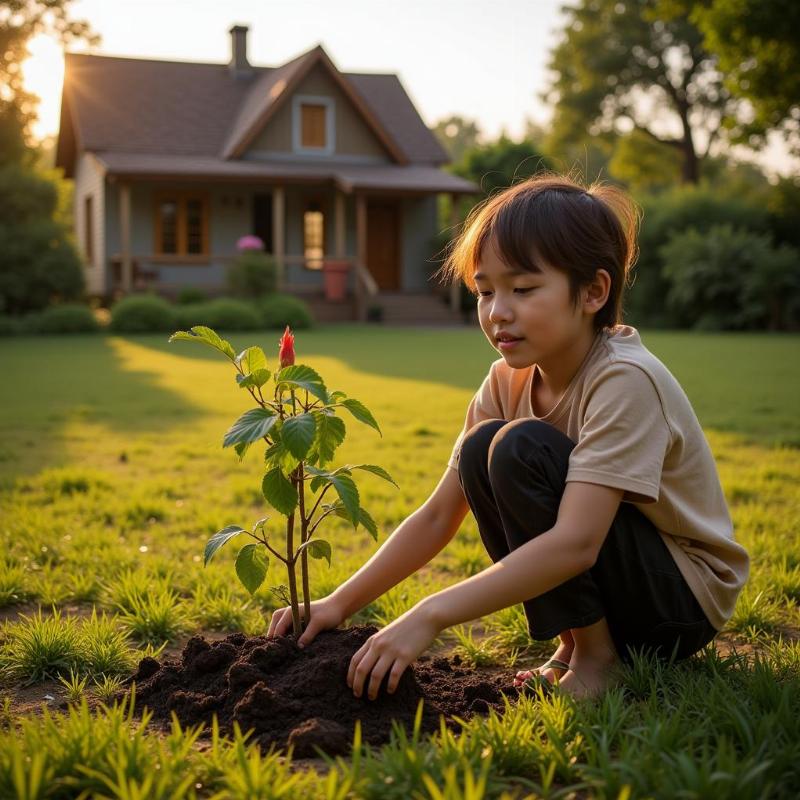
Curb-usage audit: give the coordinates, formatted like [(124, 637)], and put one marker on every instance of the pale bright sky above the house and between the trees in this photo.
[(482, 59)]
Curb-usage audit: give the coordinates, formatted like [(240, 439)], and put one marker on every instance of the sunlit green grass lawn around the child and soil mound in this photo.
[(112, 477)]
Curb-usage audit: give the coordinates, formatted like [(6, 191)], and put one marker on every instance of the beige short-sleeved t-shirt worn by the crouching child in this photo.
[(635, 429)]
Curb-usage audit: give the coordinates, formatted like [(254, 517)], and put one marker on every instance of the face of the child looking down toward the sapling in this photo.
[(535, 307)]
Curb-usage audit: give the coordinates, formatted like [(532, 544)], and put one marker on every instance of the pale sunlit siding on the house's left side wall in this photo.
[(89, 183)]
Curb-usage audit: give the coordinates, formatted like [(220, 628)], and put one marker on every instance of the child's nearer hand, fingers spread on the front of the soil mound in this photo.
[(391, 650)]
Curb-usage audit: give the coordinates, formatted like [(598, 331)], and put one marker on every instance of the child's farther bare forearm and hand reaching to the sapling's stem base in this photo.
[(412, 545)]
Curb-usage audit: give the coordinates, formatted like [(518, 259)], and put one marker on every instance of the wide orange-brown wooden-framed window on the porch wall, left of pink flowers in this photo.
[(181, 224)]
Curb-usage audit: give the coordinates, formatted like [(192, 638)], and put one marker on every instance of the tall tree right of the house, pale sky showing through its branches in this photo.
[(636, 65)]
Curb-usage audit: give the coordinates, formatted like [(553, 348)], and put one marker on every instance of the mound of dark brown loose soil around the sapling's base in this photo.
[(289, 695)]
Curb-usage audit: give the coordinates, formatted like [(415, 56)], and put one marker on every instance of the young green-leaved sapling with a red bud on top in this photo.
[(301, 436)]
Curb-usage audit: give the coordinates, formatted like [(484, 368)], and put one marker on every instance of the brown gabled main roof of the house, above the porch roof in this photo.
[(144, 106)]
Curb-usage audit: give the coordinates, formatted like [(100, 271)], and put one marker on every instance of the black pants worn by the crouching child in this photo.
[(513, 476)]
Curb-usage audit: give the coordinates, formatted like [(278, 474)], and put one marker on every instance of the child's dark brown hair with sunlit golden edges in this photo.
[(552, 218)]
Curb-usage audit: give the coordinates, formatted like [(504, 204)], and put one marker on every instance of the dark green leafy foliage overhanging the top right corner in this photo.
[(758, 47)]
